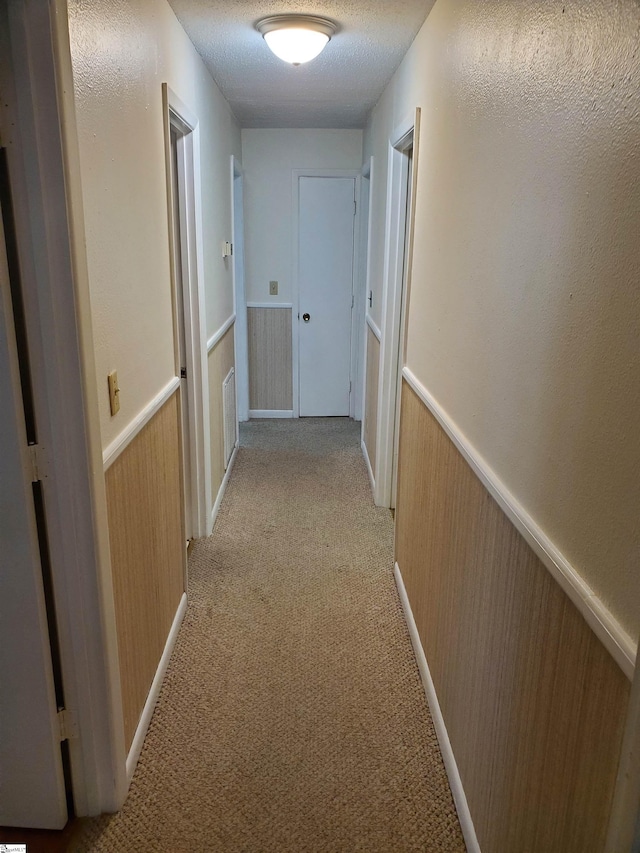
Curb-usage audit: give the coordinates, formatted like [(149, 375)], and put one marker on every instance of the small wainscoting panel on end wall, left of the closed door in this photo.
[(270, 358)]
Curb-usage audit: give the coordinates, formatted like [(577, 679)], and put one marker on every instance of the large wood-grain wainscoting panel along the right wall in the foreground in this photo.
[(533, 703)]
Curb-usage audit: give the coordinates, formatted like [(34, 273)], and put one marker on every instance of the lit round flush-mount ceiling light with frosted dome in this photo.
[(296, 38)]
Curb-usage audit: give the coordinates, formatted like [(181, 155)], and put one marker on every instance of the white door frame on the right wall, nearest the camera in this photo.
[(398, 219)]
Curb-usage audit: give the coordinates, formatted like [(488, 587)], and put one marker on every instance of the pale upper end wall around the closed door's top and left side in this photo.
[(268, 159)]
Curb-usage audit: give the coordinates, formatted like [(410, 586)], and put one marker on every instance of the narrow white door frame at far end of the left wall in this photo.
[(239, 295)]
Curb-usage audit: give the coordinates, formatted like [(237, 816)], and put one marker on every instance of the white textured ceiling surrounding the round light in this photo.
[(338, 89)]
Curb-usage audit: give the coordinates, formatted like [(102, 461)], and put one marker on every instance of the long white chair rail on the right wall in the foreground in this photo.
[(605, 626)]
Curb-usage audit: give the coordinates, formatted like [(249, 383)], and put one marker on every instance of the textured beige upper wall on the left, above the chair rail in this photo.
[(122, 52)]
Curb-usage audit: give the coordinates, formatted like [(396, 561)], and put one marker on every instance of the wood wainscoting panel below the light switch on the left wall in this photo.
[(146, 534)]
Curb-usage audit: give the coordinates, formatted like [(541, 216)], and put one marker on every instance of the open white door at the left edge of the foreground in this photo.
[(32, 789)]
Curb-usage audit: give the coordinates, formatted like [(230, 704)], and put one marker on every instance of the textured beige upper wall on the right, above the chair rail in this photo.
[(525, 307)]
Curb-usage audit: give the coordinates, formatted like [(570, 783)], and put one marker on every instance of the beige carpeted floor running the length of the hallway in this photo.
[(292, 717)]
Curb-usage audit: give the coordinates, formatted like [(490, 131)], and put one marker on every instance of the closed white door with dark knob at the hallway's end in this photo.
[(325, 263)]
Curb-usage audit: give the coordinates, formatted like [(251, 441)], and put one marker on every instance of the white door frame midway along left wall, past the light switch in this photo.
[(179, 117)]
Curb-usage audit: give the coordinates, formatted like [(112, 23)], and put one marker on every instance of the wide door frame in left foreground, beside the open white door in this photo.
[(49, 217)]
